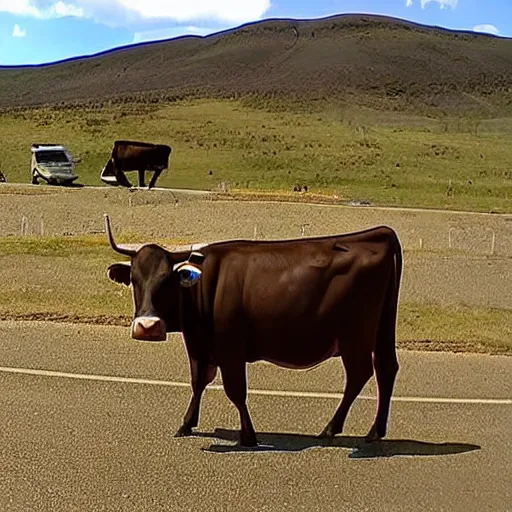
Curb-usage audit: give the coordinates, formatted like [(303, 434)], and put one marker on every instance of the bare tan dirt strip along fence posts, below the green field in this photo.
[(207, 217)]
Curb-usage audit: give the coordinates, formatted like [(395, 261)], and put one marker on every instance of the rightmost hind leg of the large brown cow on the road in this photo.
[(386, 369)]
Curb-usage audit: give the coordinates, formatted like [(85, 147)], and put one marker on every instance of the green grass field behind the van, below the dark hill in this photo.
[(388, 159)]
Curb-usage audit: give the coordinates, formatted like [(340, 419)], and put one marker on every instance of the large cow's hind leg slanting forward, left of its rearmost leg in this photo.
[(358, 370)]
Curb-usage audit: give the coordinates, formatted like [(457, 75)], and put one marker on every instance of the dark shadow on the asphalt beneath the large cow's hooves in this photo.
[(285, 442)]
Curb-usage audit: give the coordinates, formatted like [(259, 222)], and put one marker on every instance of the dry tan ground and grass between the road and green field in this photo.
[(454, 299)]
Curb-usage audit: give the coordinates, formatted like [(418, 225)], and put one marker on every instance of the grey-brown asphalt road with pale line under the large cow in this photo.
[(87, 418)]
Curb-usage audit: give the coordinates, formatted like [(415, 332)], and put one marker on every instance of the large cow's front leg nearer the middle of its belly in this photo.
[(234, 380)]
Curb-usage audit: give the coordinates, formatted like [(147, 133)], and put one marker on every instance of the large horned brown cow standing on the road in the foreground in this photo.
[(294, 303)]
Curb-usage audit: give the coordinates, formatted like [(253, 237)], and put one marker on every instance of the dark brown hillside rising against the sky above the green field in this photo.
[(373, 60)]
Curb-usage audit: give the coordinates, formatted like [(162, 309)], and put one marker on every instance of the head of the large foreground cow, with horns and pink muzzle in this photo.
[(156, 275)]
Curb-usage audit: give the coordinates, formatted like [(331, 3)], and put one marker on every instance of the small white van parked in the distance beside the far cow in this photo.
[(52, 163)]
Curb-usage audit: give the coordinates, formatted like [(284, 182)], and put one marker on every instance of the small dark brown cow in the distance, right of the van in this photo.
[(135, 156)]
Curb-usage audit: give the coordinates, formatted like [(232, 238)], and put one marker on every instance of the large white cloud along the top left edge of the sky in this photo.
[(123, 11)]
